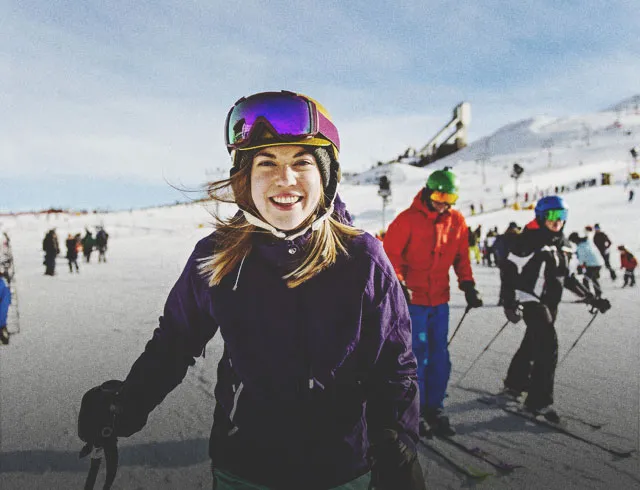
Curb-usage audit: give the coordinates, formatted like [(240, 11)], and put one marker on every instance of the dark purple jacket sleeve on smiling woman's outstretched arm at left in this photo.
[(183, 331)]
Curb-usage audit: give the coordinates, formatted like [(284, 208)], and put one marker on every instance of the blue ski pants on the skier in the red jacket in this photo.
[(430, 332)]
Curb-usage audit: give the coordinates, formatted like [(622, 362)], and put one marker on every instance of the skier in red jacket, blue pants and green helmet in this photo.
[(423, 243)]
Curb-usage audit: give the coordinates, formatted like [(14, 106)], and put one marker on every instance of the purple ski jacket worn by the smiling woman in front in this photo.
[(308, 374)]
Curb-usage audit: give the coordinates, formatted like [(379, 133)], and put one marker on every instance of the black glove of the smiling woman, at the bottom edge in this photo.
[(395, 466)]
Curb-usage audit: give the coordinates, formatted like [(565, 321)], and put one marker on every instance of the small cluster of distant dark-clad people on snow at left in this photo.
[(75, 244)]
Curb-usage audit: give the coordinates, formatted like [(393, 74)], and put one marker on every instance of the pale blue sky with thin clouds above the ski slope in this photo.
[(106, 102)]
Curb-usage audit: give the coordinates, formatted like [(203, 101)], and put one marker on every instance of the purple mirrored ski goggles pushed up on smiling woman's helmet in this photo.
[(289, 116)]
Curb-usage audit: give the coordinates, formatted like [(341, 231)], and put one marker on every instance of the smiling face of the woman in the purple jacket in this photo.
[(286, 185)]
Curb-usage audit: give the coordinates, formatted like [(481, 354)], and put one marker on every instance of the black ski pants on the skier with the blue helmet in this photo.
[(533, 367)]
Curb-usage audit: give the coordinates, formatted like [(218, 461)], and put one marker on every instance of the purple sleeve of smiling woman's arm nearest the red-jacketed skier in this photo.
[(393, 398)]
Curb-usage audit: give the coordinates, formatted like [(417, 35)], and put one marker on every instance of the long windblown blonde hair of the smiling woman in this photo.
[(234, 236)]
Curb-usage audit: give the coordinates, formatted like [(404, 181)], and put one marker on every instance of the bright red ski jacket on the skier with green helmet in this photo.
[(423, 245)]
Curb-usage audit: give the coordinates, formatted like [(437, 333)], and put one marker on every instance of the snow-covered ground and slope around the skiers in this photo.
[(77, 330)]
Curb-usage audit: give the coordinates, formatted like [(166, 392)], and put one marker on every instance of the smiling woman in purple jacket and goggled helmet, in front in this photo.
[(316, 387)]
